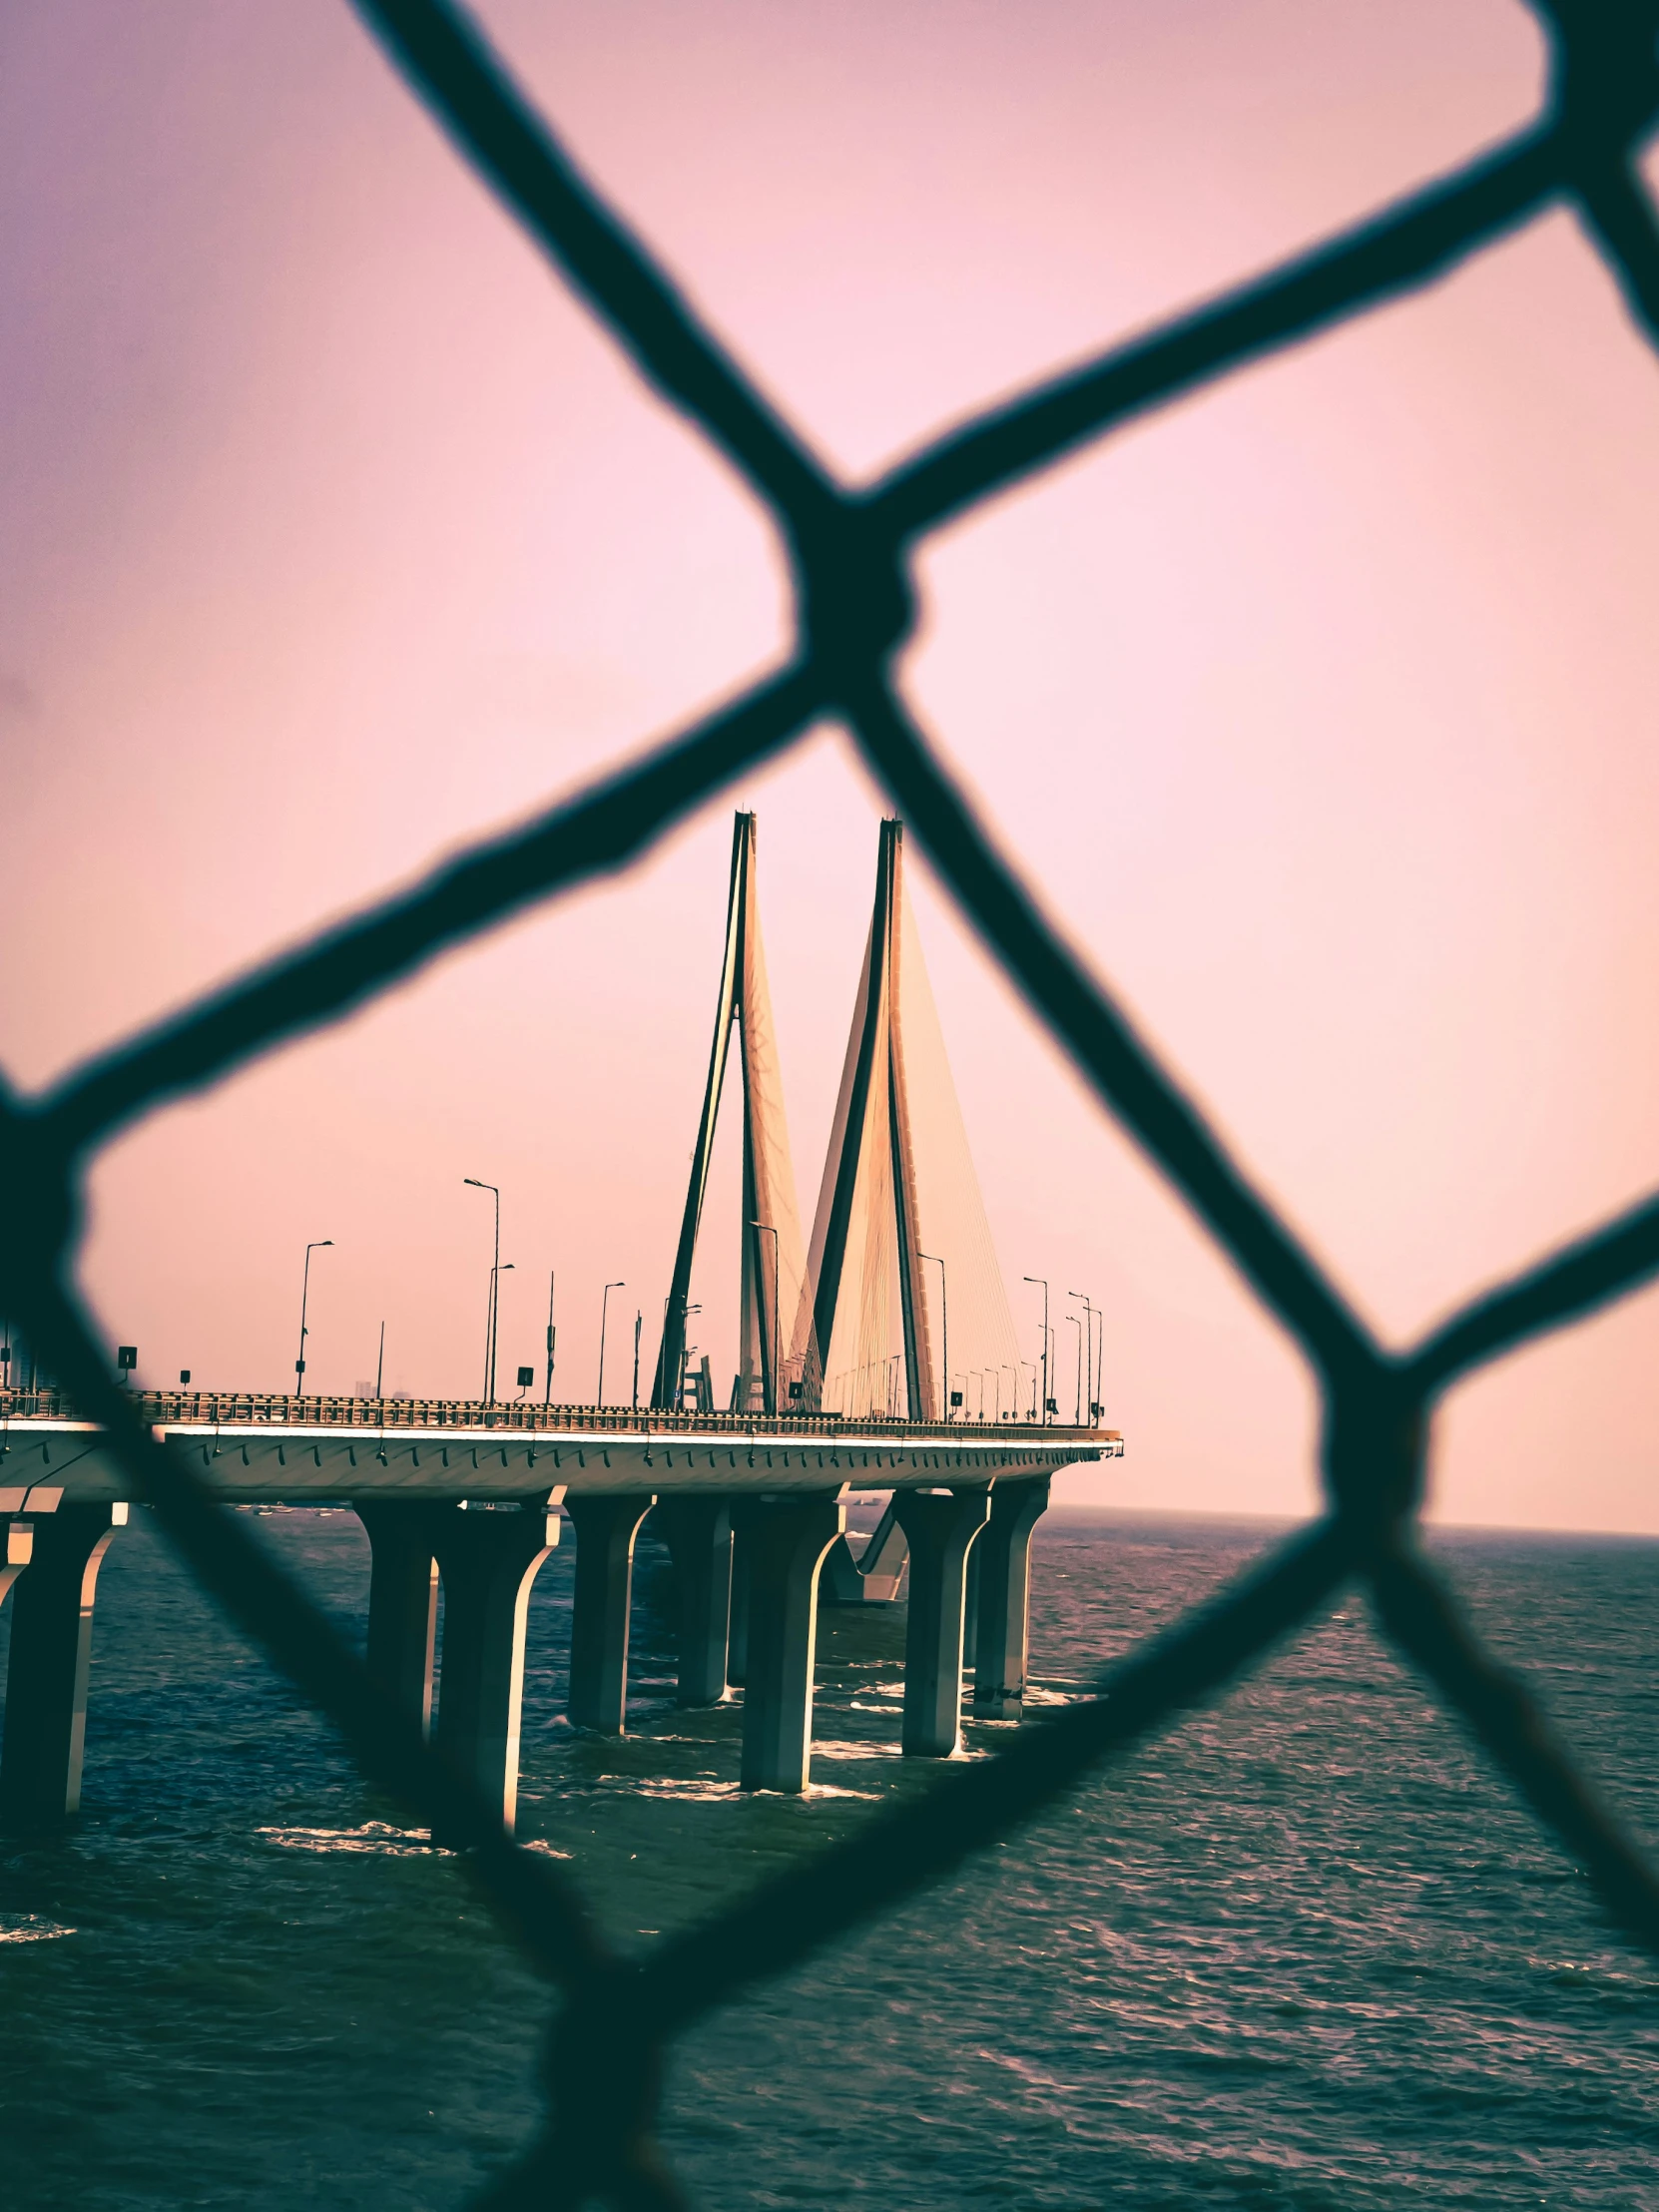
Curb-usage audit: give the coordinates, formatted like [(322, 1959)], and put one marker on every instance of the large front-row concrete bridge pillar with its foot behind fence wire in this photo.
[(488, 1561)]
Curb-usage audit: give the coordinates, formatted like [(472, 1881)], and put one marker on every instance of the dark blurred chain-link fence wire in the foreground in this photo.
[(853, 601)]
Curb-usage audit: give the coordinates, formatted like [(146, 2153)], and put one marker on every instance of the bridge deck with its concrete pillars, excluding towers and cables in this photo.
[(474, 1496)]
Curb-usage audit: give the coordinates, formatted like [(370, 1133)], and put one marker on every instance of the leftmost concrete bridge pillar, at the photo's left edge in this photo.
[(52, 1649)]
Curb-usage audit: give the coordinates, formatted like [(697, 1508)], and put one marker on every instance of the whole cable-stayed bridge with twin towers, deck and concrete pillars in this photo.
[(851, 1355)]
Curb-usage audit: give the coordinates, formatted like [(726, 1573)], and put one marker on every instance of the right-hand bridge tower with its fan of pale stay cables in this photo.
[(899, 1193)]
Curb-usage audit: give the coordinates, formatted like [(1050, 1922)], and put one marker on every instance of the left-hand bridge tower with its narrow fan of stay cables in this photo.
[(773, 1253)]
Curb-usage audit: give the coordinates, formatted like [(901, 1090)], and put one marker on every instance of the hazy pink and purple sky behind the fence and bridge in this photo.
[(1319, 709)]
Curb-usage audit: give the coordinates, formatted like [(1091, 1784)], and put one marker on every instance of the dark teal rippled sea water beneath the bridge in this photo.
[(1306, 1952)]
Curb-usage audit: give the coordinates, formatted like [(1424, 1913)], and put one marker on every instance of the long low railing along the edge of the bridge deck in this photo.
[(251, 1410)]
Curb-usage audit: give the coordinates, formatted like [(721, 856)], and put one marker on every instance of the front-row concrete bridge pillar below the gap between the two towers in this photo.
[(786, 1541)]
